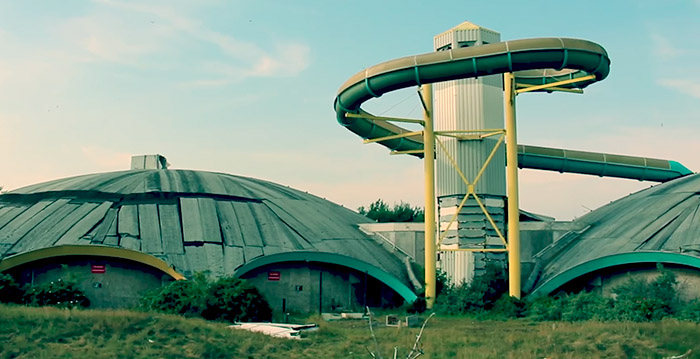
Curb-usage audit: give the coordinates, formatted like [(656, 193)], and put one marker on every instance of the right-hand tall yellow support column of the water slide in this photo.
[(512, 180)]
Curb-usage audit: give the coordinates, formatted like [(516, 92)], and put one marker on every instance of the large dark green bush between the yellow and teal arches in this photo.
[(230, 299)]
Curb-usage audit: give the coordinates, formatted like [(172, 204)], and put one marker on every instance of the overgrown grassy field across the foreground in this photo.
[(55, 333)]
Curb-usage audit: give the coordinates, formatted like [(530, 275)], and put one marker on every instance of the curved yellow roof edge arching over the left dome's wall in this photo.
[(91, 250)]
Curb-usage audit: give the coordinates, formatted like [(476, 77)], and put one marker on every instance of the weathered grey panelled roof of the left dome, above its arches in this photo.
[(193, 220)]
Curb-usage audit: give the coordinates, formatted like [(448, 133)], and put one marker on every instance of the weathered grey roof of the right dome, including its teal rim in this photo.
[(657, 224)]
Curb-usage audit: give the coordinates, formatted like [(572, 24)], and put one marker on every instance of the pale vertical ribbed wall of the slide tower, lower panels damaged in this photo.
[(469, 104)]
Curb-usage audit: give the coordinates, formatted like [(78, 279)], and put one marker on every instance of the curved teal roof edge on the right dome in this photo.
[(570, 274)]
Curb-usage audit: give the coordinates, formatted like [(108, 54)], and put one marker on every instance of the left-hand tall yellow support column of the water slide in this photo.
[(429, 167)]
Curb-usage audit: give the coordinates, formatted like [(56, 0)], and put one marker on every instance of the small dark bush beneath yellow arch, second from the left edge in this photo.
[(60, 293)]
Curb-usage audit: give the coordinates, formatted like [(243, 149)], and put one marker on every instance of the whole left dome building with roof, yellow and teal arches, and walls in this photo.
[(119, 234)]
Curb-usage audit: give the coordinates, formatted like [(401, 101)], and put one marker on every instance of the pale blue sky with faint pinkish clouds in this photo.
[(247, 88)]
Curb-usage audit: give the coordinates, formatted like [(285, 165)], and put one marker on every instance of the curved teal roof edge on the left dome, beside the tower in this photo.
[(307, 256)]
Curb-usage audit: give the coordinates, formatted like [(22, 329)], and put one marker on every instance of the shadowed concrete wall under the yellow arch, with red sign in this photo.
[(120, 286)]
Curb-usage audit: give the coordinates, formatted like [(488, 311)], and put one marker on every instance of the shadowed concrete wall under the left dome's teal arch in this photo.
[(302, 286)]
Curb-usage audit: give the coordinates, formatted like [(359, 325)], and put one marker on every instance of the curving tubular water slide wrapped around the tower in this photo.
[(534, 62)]
